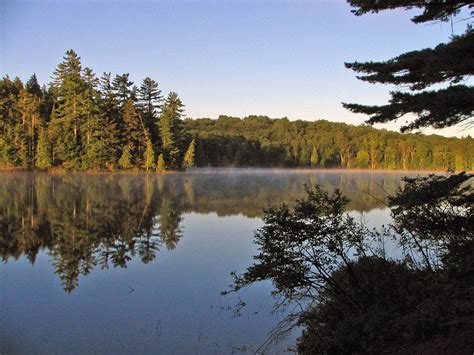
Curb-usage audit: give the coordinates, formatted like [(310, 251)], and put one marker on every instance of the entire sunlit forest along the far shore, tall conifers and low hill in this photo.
[(82, 122)]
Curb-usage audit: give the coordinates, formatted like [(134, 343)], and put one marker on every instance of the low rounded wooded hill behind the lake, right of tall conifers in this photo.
[(261, 141)]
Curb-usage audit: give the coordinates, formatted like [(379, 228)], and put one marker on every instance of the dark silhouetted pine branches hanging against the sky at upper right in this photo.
[(449, 63)]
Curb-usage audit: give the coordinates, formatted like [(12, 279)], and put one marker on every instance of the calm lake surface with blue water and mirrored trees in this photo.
[(135, 263)]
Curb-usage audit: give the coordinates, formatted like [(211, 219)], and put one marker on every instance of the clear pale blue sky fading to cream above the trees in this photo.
[(274, 58)]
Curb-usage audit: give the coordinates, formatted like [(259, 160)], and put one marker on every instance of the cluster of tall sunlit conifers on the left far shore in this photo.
[(88, 120)]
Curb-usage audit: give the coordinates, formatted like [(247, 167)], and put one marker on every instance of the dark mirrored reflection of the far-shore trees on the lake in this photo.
[(86, 221)]
